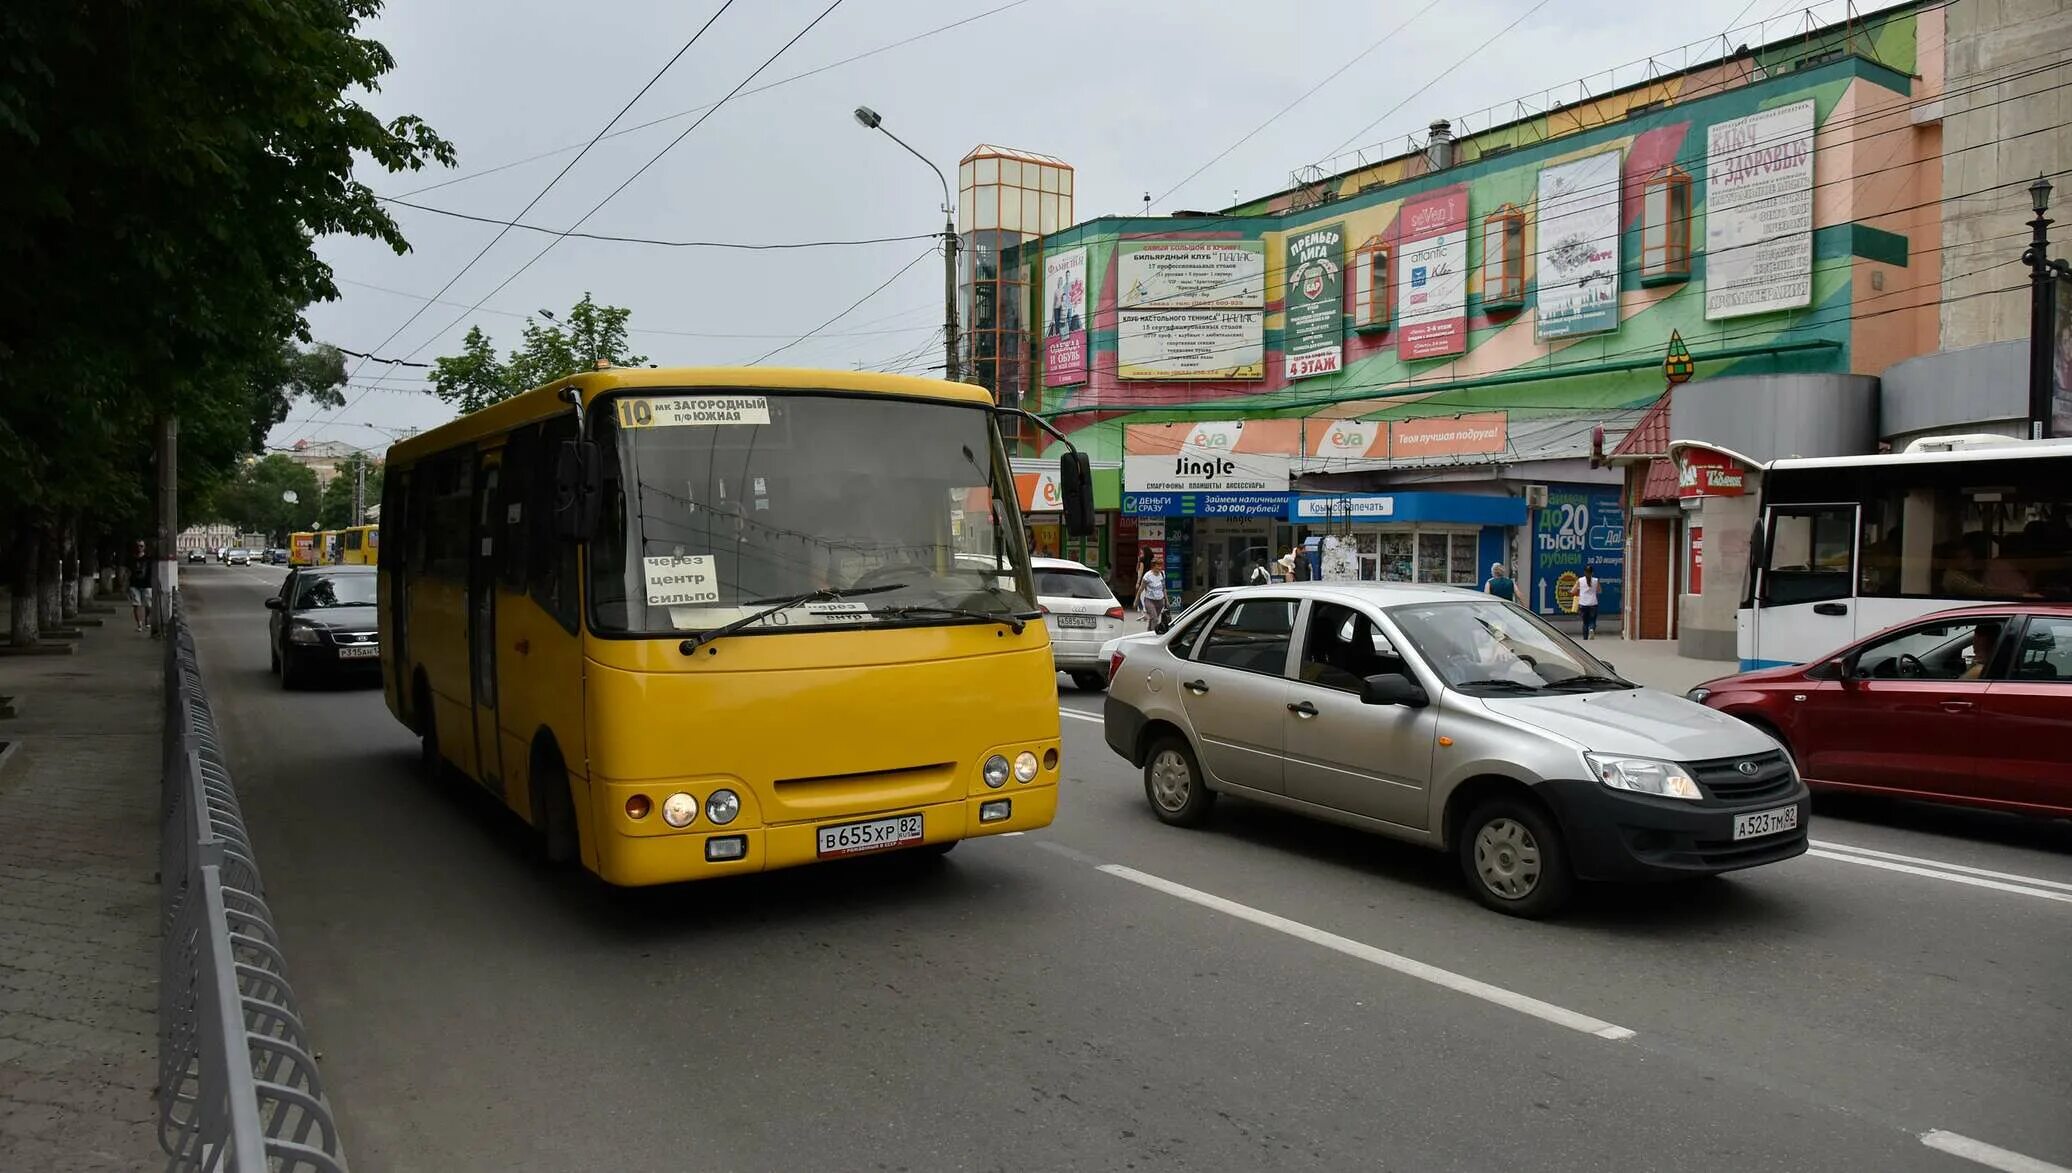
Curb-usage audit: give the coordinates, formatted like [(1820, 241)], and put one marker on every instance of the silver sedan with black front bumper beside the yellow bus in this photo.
[(1451, 720)]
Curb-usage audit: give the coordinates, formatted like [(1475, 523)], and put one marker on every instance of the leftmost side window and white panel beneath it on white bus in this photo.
[(1806, 592)]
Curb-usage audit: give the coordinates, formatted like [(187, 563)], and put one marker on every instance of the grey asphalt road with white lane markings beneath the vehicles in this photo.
[(1081, 1000)]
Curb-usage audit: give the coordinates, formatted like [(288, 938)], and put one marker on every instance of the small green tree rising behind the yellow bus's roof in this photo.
[(587, 337)]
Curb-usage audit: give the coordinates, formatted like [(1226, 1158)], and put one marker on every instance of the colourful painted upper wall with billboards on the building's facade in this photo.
[(1561, 355)]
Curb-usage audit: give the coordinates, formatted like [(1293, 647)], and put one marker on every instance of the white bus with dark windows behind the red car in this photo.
[(1849, 546)]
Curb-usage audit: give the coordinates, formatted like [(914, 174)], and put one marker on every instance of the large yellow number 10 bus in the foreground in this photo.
[(693, 623)]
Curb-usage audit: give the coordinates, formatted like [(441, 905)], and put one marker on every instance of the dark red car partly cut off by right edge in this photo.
[(1969, 706)]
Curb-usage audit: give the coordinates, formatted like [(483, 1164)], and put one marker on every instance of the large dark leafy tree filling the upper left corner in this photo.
[(169, 171)]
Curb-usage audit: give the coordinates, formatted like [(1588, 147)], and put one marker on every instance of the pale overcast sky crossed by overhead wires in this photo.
[(1134, 94)]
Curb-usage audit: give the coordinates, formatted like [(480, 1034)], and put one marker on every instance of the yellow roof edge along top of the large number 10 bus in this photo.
[(540, 403)]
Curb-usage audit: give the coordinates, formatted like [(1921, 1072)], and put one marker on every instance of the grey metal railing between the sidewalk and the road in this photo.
[(237, 1085)]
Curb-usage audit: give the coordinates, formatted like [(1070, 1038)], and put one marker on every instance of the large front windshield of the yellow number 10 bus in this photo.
[(724, 503)]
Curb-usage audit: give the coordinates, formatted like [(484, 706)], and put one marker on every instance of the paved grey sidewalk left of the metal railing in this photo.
[(80, 809)]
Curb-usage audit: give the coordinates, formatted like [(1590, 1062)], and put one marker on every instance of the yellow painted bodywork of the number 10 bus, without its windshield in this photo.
[(809, 728)]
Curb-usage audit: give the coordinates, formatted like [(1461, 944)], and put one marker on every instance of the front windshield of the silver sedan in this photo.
[(1487, 646)]
